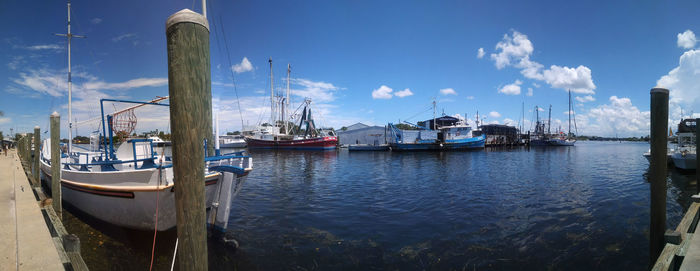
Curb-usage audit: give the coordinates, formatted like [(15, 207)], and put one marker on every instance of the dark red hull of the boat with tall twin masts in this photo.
[(316, 143)]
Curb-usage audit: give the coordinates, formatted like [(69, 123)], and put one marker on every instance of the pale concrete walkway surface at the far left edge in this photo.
[(25, 241)]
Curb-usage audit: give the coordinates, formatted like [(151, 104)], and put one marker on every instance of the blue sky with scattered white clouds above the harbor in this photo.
[(373, 62)]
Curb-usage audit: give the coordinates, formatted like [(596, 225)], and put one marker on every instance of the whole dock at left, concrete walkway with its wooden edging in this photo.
[(31, 235)]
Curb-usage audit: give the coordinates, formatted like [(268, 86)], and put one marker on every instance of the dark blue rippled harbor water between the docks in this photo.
[(583, 207)]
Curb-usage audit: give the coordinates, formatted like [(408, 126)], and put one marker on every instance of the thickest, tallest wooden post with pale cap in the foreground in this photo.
[(189, 85)]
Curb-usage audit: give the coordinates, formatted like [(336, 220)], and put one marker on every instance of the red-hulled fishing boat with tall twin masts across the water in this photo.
[(281, 134)]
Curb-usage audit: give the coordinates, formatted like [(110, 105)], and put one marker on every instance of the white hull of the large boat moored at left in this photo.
[(130, 199)]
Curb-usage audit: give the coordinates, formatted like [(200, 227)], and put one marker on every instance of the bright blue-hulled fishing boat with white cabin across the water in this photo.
[(446, 133)]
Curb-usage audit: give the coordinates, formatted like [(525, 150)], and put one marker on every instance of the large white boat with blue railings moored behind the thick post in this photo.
[(133, 186)]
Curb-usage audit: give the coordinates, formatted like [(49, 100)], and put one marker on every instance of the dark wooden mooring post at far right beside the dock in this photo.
[(657, 171)]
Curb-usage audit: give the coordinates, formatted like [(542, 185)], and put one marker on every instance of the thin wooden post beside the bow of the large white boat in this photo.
[(56, 165)]
